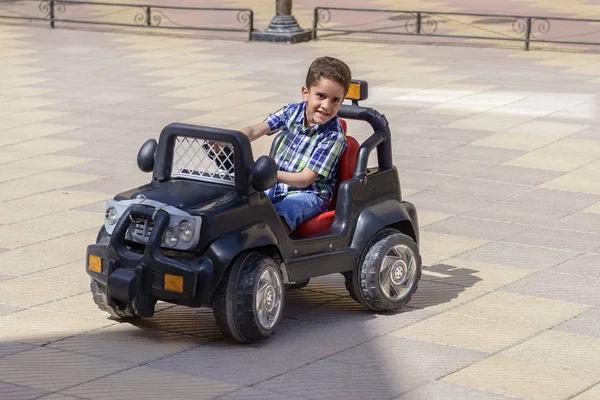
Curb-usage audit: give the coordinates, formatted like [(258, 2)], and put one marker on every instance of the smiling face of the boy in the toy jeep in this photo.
[(323, 101)]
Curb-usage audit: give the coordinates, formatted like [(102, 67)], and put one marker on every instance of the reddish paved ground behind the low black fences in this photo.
[(399, 23)]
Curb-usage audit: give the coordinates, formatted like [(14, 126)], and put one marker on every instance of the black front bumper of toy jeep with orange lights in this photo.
[(140, 278)]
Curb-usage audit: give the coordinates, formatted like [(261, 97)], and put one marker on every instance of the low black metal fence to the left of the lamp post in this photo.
[(130, 15)]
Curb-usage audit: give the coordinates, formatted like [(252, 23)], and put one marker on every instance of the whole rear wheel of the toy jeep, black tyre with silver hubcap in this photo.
[(389, 273)]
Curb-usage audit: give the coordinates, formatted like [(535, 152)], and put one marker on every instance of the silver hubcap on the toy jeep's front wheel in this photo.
[(269, 293)]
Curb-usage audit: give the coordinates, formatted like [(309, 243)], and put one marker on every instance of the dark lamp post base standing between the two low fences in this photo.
[(283, 26)]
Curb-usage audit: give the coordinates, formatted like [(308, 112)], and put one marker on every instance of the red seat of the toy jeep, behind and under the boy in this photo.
[(320, 223)]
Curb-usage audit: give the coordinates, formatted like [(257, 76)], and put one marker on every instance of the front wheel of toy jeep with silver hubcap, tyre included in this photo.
[(248, 303)]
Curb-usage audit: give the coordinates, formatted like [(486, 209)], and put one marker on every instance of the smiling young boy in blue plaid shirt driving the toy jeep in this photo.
[(309, 153)]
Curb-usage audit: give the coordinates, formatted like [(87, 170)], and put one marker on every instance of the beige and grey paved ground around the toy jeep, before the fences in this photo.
[(499, 150)]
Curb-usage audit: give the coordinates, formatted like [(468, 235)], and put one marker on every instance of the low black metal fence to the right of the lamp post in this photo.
[(514, 28)]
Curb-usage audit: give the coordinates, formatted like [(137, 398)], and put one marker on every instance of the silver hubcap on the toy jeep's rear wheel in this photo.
[(397, 275)]
